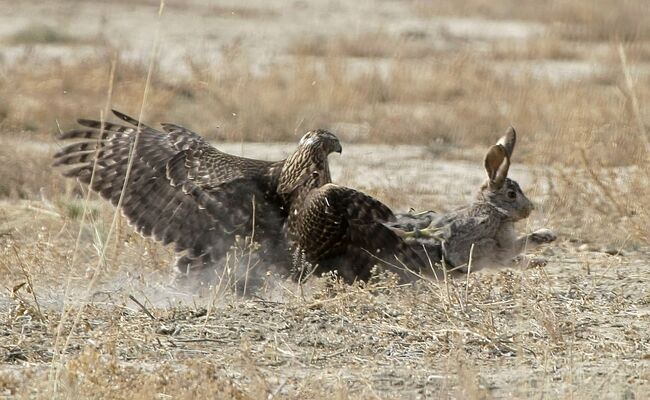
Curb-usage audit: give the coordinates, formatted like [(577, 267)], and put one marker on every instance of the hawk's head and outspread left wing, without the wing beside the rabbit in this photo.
[(184, 191)]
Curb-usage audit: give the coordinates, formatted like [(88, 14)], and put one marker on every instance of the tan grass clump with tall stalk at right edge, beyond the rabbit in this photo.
[(611, 201)]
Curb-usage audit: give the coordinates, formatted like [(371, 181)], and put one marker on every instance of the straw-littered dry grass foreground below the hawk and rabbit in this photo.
[(516, 334)]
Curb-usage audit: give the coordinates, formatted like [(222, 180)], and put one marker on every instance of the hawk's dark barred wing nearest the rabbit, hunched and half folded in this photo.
[(341, 228)]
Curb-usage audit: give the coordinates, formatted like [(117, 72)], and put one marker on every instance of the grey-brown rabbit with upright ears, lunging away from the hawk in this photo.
[(487, 223)]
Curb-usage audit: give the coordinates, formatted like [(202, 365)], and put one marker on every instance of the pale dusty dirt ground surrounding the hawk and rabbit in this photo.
[(87, 311)]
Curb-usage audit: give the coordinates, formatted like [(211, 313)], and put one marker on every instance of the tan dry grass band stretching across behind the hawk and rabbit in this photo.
[(457, 99)]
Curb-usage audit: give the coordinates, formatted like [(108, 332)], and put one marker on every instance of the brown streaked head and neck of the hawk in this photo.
[(308, 167)]
